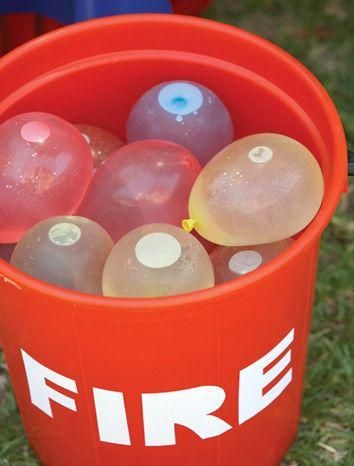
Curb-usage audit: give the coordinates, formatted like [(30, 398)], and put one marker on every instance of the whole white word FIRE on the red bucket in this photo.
[(162, 412)]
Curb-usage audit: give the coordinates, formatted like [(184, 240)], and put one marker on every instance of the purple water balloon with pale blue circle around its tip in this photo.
[(185, 112)]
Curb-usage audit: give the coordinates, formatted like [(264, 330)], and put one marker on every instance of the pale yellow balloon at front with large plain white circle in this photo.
[(157, 260)]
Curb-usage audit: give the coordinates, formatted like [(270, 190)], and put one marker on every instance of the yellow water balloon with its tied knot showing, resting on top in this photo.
[(260, 189)]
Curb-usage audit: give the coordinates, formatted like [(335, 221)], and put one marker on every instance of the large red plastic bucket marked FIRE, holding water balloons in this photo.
[(212, 377)]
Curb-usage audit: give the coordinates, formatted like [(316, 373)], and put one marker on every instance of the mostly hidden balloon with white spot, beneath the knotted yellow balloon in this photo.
[(233, 262)]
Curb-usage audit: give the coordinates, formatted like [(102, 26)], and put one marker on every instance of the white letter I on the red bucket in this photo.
[(111, 416)]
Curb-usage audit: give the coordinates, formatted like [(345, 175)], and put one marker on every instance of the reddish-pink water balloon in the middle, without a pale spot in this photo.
[(143, 182)]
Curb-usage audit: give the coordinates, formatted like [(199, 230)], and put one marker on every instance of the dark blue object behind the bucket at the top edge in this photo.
[(71, 11)]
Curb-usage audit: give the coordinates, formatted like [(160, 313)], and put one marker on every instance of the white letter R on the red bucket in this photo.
[(190, 408)]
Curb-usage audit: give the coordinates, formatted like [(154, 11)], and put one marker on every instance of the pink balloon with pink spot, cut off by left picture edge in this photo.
[(45, 169)]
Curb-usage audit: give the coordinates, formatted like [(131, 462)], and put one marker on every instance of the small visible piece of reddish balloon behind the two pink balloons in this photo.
[(102, 143)]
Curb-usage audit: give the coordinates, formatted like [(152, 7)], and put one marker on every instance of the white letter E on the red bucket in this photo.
[(253, 380)]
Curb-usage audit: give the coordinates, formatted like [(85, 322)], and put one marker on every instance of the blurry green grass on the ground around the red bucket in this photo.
[(321, 34)]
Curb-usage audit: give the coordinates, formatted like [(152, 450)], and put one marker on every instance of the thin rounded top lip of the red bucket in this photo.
[(309, 236)]
